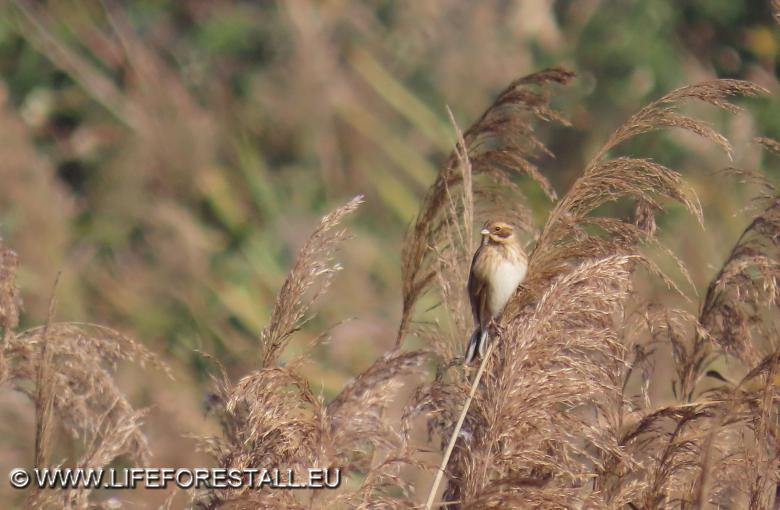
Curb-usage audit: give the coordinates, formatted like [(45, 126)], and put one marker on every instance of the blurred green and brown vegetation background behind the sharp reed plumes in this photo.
[(170, 157)]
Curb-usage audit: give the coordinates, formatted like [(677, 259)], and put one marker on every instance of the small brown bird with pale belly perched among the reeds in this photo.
[(498, 267)]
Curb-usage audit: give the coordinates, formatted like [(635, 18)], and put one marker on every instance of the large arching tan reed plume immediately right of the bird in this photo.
[(551, 423)]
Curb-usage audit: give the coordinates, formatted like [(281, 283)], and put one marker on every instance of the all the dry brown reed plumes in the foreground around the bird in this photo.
[(562, 417)]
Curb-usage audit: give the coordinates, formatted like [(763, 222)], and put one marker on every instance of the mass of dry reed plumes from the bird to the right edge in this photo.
[(556, 422)]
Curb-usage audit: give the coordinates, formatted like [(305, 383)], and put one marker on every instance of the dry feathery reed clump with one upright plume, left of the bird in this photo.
[(271, 417)]
